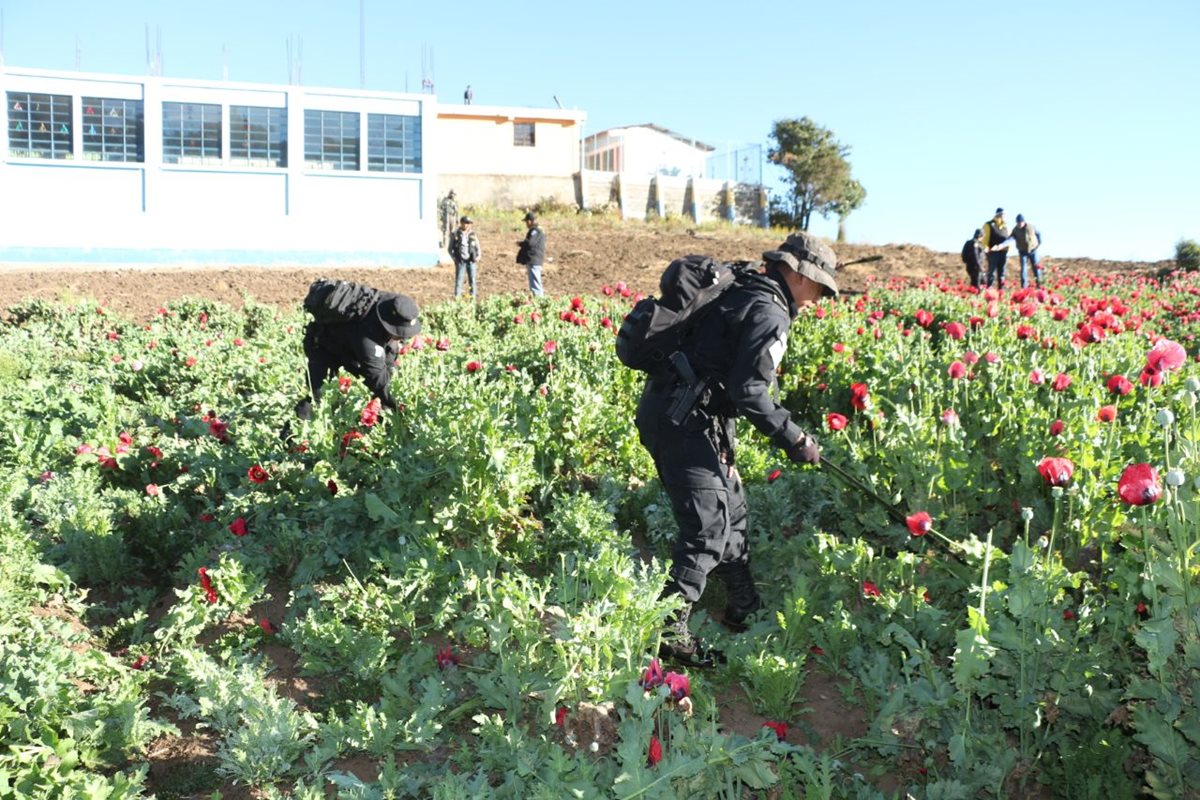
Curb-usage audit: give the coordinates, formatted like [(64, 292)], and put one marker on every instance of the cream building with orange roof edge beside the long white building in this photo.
[(507, 157)]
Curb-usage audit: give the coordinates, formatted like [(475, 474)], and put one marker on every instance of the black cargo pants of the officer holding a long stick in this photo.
[(695, 464)]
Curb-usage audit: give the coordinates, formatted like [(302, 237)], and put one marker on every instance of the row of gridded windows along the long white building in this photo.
[(41, 127)]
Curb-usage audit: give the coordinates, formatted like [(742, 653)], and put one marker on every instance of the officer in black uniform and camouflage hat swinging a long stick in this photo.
[(736, 352)]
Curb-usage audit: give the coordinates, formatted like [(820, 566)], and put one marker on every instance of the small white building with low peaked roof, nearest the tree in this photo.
[(646, 151)]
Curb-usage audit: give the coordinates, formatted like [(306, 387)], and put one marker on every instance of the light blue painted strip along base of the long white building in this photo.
[(116, 256)]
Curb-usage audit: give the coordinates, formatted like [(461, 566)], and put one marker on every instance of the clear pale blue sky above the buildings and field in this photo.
[(1083, 116)]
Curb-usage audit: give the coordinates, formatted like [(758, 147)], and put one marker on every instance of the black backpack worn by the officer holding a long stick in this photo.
[(658, 327)]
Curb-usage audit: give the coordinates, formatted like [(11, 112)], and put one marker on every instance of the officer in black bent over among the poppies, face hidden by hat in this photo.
[(365, 347)]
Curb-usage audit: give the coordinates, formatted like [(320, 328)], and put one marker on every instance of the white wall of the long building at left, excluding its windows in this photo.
[(154, 213)]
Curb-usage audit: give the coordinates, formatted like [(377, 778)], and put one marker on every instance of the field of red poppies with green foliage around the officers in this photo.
[(461, 599)]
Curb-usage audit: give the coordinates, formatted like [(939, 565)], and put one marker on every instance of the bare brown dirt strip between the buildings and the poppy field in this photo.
[(581, 258)]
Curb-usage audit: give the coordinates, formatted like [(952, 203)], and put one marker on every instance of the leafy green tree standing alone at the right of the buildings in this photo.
[(817, 171)]
